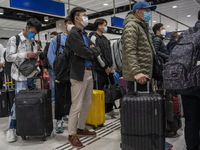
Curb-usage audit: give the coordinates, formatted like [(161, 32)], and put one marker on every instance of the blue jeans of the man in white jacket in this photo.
[(19, 85)]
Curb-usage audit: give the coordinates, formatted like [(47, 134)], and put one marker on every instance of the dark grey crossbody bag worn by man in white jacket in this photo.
[(29, 66)]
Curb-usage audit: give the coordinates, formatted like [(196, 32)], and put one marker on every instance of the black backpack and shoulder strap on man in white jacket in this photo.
[(7, 68)]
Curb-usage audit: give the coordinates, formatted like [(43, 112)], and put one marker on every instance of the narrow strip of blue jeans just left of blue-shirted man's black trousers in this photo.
[(52, 84)]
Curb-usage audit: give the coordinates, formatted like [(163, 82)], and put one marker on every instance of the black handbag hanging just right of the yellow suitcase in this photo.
[(113, 92)]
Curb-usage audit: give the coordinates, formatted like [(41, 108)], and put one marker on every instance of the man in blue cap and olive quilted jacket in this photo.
[(138, 51)]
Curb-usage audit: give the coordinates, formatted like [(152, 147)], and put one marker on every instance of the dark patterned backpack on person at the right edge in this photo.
[(182, 72)]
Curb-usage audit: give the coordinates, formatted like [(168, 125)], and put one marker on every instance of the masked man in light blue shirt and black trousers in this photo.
[(62, 90)]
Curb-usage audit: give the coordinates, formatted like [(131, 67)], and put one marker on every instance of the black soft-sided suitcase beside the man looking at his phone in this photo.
[(34, 113)]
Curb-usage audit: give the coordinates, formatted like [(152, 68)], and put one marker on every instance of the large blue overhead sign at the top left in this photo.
[(44, 6)]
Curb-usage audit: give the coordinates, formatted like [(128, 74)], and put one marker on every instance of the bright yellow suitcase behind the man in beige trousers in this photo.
[(96, 115)]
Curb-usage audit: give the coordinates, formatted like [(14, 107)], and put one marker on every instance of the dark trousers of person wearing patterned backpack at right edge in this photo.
[(191, 108)]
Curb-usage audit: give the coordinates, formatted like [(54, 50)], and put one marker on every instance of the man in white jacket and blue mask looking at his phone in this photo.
[(27, 49)]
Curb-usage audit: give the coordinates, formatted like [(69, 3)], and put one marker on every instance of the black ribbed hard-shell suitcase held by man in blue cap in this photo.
[(142, 121)]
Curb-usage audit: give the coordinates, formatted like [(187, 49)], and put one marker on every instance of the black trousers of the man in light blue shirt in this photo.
[(62, 99)]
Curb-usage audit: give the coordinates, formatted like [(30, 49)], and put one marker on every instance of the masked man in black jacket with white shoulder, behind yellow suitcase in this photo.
[(103, 72)]
